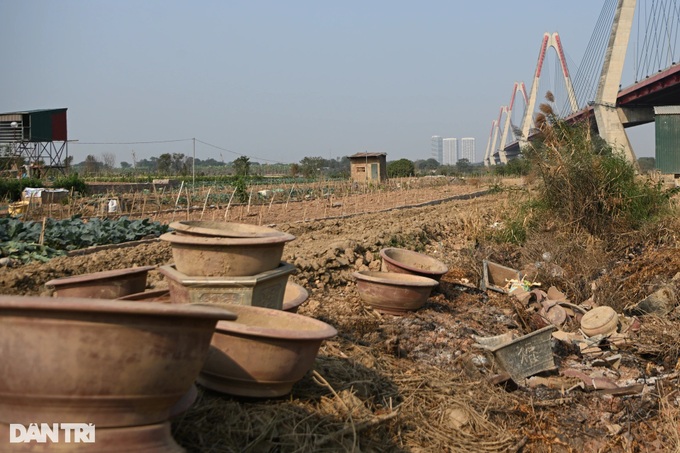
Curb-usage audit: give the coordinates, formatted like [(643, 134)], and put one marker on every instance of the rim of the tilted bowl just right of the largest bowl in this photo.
[(324, 330)]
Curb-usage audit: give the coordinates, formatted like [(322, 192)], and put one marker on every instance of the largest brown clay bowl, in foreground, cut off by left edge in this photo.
[(109, 362)]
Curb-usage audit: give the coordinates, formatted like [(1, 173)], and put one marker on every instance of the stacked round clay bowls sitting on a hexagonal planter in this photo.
[(223, 262)]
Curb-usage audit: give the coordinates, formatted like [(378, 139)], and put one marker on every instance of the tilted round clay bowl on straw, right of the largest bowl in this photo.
[(262, 354)]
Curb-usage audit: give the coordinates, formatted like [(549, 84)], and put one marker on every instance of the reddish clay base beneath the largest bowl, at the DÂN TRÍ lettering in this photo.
[(155, 438)]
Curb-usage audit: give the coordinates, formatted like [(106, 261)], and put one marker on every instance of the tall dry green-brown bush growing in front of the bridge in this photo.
[(585, 183)]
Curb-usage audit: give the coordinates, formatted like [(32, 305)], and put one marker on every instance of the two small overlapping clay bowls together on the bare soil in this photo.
[(403, 284)]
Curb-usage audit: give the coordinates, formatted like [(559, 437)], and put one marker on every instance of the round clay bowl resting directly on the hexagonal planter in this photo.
[(211, 256)]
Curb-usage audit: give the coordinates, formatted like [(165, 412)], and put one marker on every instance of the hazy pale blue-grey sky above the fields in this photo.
[(278, 80)]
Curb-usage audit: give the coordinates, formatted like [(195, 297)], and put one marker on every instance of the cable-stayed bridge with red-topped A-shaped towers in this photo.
[(595, 92)]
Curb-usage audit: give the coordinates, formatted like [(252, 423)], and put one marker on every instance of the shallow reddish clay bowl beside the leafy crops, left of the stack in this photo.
[(102, 285)]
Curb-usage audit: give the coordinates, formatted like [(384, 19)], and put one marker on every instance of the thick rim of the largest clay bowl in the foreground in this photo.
[(14, 305)]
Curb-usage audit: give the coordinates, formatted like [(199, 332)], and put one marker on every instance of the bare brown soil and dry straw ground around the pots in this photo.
[(416, 383)]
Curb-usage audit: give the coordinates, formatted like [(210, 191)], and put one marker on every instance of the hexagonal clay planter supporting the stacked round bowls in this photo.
[(262, 290)]
